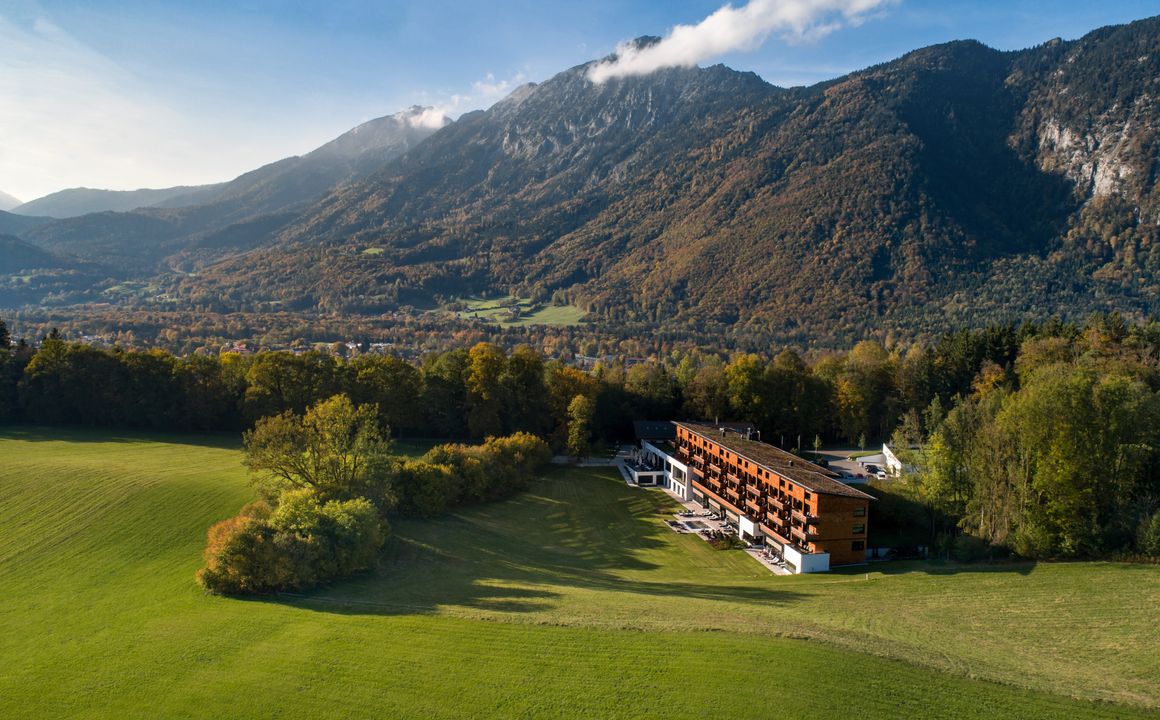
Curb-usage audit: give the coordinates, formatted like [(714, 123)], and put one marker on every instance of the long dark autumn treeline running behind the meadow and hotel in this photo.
[(858, 397)]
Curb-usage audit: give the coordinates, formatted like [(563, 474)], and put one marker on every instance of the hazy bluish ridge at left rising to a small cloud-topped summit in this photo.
[(190, 226)]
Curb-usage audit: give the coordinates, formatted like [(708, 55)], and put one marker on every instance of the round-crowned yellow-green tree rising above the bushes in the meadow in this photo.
[(336, 449)]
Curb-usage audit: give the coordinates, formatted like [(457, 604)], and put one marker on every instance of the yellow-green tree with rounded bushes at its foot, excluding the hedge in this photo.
[(327, 489)]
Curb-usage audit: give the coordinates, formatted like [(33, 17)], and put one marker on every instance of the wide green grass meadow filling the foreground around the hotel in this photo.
[(570, 601)]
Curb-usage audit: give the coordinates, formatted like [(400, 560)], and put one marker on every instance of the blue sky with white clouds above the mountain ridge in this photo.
[(125, 94)]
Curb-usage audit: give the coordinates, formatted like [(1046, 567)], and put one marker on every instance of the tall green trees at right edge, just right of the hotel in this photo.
[(1056, 455)]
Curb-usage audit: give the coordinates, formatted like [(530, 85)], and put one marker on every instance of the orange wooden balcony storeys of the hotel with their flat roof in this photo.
[(794, 503)]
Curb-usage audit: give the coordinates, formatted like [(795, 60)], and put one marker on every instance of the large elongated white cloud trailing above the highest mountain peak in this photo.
[(737, 30)]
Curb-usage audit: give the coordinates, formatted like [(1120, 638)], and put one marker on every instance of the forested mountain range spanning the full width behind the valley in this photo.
[(958, 185)]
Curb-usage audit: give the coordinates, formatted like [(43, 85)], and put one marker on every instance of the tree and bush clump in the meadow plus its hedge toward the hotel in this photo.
[(329, 482)]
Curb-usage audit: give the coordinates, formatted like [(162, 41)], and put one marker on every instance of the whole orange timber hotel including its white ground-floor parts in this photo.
[(771, 497)]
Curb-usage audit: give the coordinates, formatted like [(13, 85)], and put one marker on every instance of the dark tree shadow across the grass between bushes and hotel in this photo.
[(574, 532)]
